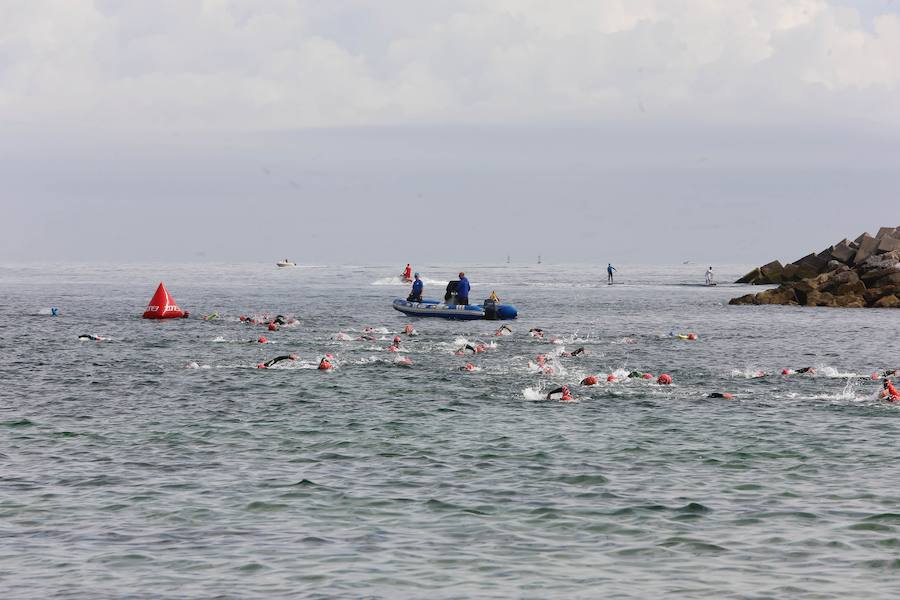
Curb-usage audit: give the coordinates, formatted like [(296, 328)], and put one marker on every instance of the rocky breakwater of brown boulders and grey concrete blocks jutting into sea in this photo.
[(861, 273)]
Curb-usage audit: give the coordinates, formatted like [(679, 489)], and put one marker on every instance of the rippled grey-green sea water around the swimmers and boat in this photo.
[(162, 463)]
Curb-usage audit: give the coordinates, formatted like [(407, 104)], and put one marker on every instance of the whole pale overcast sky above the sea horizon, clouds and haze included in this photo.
[(361, 132)]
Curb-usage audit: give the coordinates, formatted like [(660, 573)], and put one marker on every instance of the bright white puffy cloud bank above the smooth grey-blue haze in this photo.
[(218, 65)]
